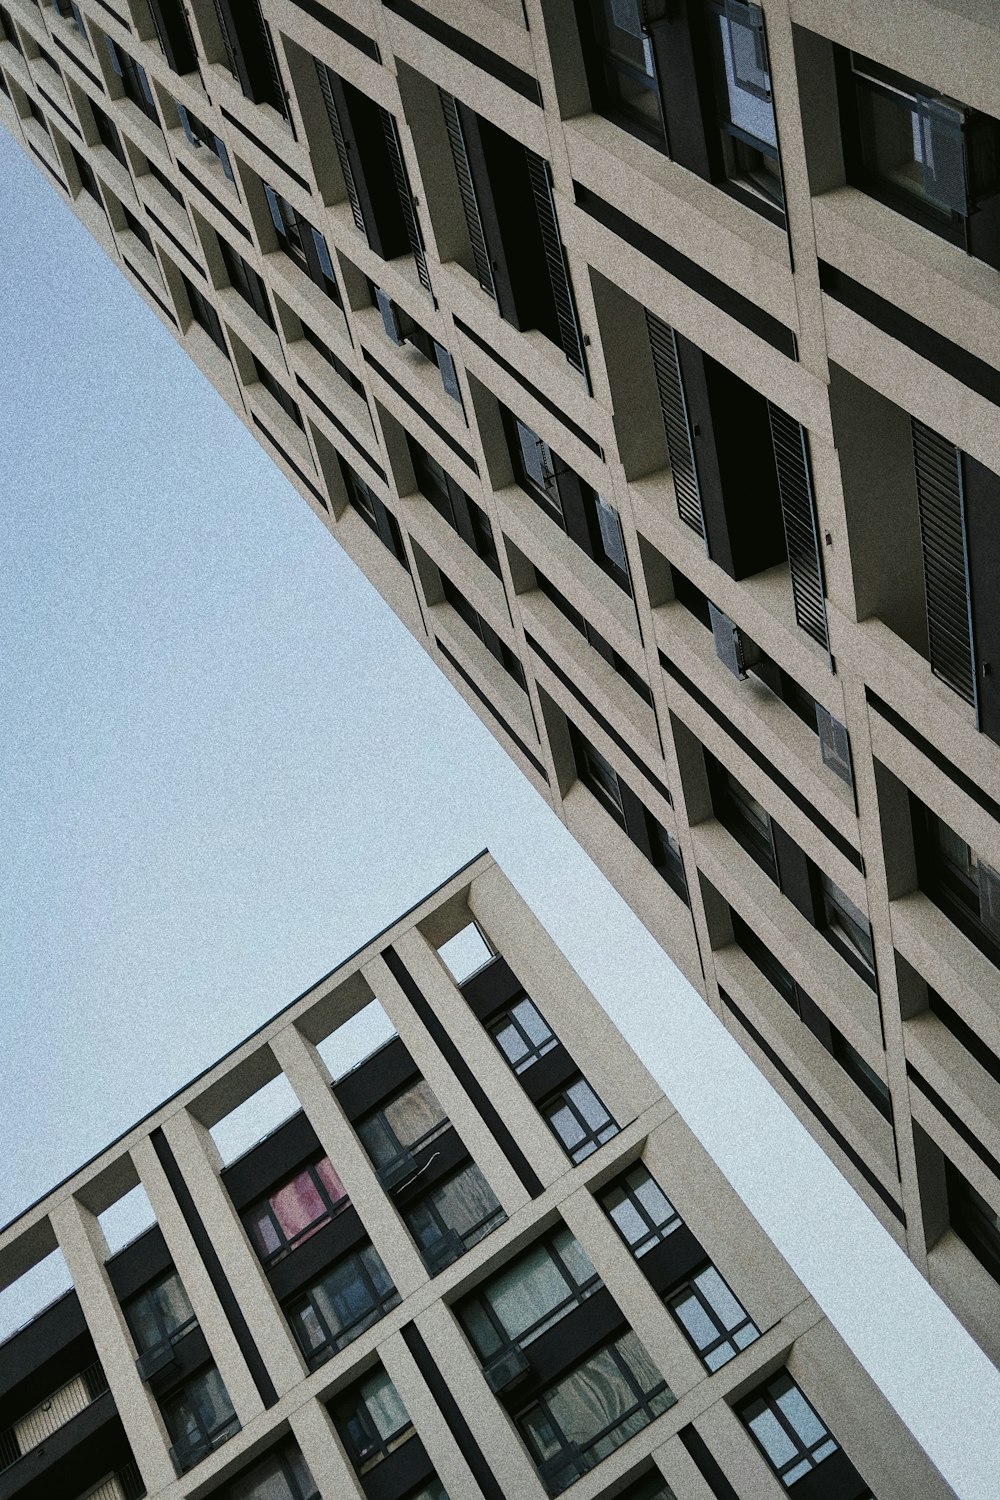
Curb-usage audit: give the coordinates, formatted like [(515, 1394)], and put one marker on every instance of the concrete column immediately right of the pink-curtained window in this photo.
[(305, 1070)]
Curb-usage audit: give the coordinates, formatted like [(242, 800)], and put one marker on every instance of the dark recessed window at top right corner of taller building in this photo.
[(924, 155)]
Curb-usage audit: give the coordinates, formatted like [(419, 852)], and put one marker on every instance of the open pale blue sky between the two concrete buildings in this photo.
[(224, 766)]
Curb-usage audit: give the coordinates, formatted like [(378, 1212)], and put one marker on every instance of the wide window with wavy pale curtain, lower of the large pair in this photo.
[(588, 1414)]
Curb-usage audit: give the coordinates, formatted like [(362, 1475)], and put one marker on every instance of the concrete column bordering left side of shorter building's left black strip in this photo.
[(202, 1294)]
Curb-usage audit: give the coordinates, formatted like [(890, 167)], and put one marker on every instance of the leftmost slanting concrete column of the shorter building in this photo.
[(85, 1247)]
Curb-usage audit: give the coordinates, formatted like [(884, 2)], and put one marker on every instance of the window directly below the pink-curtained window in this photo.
[(352, 1297)]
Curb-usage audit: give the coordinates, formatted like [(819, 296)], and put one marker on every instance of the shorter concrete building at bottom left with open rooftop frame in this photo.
[(490, 1262)]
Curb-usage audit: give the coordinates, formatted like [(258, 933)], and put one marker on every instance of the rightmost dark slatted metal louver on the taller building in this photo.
[(942, 512)]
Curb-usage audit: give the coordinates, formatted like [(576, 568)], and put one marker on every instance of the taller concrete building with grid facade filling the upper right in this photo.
[(644, 353)]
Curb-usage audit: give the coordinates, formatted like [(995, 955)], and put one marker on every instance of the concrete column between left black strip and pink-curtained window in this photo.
[(197, 1159)]
